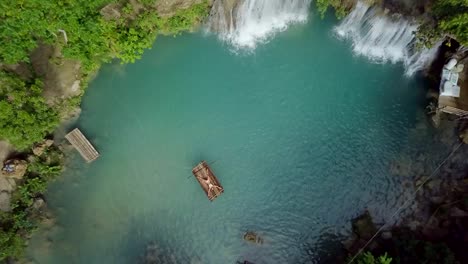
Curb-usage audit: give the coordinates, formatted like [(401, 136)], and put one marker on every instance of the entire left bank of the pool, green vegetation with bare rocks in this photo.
[(49, 80)]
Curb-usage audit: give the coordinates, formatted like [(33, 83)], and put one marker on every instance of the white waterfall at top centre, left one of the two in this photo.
[(246, 23)]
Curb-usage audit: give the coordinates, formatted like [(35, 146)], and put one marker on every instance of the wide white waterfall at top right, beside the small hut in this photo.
[(384, 38)]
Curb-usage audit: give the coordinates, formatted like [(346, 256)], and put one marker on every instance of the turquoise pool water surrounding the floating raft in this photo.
[(301, 134)]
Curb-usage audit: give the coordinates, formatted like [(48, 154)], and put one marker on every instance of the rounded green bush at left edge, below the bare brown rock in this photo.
[(25, 118)]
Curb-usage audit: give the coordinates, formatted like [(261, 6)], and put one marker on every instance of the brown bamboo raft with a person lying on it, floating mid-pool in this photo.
[(207, 180)]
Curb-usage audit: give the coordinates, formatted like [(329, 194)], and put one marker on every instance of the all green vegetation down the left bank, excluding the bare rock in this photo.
[(90, 32)]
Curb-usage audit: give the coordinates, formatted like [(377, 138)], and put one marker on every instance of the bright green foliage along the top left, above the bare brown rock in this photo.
[(91, 39)]
